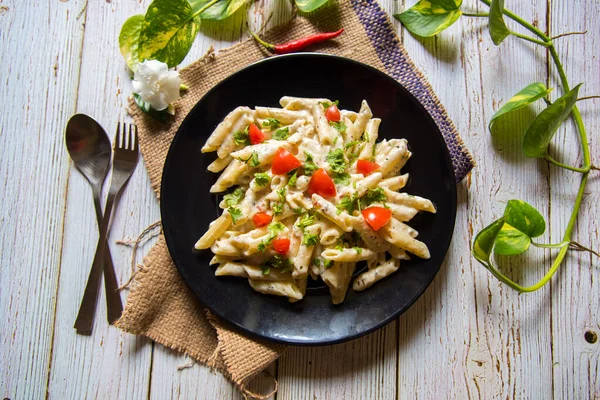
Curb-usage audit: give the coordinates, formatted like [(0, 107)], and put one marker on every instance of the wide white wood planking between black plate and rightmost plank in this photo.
[(470, 336)]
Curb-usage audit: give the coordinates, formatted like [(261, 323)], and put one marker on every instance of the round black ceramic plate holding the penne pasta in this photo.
[(187, 207)]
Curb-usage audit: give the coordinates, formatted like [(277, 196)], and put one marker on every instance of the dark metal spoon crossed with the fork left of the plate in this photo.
[(90, 149)]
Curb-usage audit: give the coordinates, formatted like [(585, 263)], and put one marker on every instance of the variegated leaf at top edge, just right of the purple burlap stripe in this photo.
[(430, 17)]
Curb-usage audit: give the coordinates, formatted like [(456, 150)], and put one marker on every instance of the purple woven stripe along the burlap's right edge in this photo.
[(387, 46)]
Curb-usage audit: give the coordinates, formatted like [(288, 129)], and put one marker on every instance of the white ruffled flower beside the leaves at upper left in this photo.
[(155, 84)]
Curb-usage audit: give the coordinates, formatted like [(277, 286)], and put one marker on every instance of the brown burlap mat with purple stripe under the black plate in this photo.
[(160, 306)]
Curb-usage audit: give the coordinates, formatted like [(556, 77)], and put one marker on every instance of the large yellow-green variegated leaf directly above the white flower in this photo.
[(168, 31)]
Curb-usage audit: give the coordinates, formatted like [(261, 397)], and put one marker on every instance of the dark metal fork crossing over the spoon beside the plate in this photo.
[(126, 151)]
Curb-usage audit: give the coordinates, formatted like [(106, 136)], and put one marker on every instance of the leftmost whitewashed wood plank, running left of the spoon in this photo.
[(38, 91)]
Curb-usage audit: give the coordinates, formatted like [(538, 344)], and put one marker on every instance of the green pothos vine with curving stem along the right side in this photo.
[(513, 233)]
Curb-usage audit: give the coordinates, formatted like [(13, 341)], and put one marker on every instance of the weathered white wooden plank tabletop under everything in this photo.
[(468, 336)]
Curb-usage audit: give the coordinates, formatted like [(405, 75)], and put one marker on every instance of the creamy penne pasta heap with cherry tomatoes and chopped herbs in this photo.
[(282, 224)]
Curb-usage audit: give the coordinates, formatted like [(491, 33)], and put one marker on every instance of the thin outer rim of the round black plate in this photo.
[(291, 342)]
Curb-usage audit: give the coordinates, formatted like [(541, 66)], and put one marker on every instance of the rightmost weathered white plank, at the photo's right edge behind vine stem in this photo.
[(576, 287)]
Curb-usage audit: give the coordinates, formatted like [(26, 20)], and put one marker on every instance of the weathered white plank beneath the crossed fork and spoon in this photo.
[(110, 363)]
